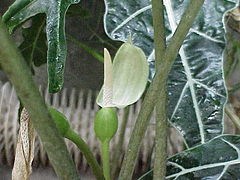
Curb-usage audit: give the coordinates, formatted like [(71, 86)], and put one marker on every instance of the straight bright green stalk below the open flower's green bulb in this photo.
[(106, 160)]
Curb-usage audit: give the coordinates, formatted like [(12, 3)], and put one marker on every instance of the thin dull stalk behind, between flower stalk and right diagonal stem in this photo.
[(119, 147)]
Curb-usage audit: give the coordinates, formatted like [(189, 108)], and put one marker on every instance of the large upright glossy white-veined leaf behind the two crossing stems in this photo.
[(196, 87)]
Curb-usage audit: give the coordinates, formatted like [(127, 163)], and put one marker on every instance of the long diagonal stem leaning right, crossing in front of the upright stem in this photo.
[(156, 87)]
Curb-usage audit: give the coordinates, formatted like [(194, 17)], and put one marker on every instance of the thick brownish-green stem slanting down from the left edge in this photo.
[(20, 75)]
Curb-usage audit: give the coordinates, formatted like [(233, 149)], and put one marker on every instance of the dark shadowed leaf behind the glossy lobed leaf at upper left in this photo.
[(34, 47)]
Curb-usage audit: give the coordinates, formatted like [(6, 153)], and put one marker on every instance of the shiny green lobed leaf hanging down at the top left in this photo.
[(21, 10)]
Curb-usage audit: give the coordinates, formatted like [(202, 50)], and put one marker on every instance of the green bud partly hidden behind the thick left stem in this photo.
[(60, 120)]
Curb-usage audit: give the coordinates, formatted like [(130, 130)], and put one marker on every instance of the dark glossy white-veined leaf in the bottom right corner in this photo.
[(215, 160)]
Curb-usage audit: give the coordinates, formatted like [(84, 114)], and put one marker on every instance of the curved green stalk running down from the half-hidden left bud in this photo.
[(97, 170)]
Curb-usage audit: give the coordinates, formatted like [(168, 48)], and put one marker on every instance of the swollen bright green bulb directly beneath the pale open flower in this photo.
[(105, 124)]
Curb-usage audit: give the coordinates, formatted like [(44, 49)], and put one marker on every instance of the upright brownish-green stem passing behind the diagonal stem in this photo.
[(160, 158)]
